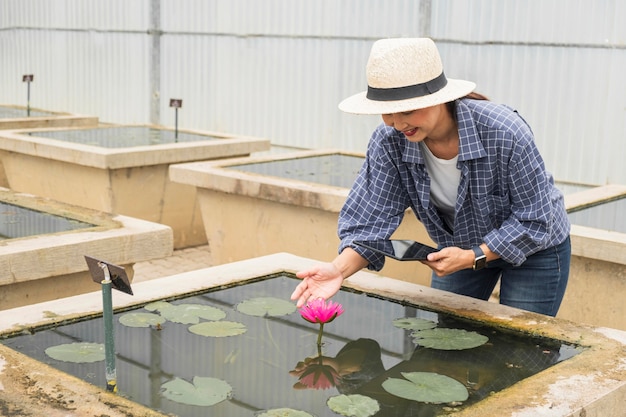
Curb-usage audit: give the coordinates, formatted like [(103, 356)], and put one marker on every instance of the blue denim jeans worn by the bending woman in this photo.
[(537, 285)]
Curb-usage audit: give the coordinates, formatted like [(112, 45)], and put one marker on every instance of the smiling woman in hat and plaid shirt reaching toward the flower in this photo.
[(472, 174)]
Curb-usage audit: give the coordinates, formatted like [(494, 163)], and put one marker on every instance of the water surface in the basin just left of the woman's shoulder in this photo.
[(334, 169)]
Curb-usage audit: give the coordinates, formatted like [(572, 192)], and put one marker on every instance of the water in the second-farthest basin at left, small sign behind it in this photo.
[(123, 136)]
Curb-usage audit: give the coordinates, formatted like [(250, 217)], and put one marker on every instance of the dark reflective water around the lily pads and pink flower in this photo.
[(363, 344)]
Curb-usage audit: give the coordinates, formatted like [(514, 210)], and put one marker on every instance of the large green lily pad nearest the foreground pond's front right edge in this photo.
[(426, 387)]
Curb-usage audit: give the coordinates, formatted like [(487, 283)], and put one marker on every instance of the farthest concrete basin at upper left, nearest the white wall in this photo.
[(17, 117)]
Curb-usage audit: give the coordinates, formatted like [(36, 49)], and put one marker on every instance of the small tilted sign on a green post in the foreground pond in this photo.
[(110, 276)]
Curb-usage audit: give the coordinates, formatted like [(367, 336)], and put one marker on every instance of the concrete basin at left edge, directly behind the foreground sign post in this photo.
[(43, 244)]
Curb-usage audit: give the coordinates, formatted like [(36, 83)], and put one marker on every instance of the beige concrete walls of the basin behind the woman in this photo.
[(247, 214)]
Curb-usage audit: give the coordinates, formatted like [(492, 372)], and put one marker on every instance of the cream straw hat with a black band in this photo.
[(404, 74)]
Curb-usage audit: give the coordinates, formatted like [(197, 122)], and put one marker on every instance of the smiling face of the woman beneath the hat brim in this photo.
[(418, 125)]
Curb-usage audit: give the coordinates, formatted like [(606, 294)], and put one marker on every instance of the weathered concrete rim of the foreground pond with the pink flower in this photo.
[(591, 383)]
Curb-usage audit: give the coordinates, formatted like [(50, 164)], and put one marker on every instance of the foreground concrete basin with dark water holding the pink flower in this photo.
[(532, 364)]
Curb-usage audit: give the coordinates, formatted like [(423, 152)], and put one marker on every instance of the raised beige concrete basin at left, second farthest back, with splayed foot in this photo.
[(119, 169)]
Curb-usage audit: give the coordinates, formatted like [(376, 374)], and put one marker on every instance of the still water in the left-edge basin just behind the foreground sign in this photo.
[(16, 222)]
